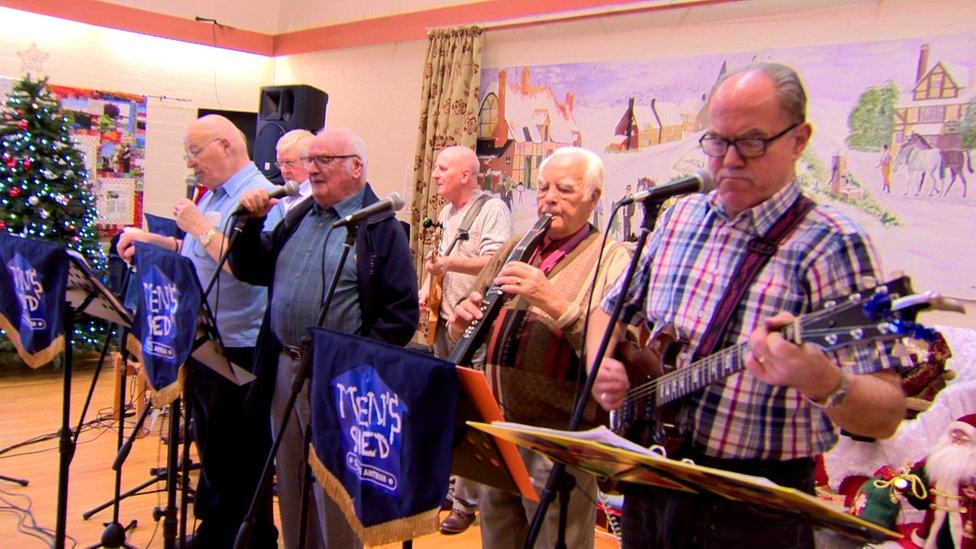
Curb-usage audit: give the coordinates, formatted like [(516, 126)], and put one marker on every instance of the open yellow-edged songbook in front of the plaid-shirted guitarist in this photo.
[(605, 454)]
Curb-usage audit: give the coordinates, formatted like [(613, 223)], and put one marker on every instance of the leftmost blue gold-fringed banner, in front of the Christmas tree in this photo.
[(32, 289)]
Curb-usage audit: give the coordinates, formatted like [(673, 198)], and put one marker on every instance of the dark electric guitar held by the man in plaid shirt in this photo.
[(649, 413)]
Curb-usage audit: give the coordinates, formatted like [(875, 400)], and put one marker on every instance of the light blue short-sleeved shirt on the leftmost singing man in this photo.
[(237, 306)]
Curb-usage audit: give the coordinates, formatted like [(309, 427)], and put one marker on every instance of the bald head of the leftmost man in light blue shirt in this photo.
[(215, 149)]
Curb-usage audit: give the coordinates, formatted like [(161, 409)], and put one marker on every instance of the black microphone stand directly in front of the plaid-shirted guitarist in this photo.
[(559, 479)]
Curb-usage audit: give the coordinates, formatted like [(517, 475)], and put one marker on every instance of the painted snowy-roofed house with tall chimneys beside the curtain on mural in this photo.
[(520, 125)]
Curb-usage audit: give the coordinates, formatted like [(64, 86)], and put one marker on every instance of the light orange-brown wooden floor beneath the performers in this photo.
[(30, 407)]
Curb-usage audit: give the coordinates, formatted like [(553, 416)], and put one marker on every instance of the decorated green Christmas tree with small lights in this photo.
[(44, 188)]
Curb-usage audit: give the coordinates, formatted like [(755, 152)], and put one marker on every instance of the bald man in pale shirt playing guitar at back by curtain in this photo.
[(473, 226)]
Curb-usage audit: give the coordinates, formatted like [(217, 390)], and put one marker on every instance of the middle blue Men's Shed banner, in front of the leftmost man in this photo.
[(165, 324)]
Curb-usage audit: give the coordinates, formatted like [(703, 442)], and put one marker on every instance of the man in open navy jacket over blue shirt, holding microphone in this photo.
[(376, 297)]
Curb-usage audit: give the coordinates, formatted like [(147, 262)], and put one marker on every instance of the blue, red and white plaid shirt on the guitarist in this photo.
[(684, 272)]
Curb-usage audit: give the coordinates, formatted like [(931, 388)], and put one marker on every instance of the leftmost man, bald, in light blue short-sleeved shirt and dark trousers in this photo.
[(232, 441)]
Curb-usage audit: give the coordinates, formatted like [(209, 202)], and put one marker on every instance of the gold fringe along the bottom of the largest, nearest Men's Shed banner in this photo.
[(423, 523)]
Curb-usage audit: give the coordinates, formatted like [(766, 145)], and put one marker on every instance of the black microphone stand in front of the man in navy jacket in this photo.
[(303, 374)]
